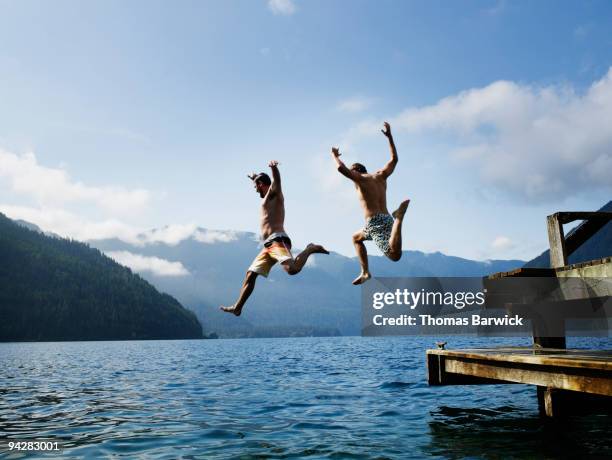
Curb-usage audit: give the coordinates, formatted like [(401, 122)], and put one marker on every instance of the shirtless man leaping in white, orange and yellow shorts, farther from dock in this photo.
[(277, 245)]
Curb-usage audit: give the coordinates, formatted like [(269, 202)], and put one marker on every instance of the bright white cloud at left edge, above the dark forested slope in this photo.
[(54, 186)]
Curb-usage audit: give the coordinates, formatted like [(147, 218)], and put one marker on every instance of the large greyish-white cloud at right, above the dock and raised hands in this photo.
[(536, 143)]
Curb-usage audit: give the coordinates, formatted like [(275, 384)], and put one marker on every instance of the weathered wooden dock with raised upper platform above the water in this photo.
[(567, 381)]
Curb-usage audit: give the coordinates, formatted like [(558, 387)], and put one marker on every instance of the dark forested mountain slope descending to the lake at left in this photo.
[(57, 289)]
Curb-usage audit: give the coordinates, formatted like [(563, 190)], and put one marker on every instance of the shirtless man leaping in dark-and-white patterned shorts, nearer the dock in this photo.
[(386, 231)]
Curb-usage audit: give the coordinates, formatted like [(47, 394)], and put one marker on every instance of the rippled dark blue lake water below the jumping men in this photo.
[(346, 397)]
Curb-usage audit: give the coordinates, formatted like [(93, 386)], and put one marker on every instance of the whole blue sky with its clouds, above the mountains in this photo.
[(117, 117)]
